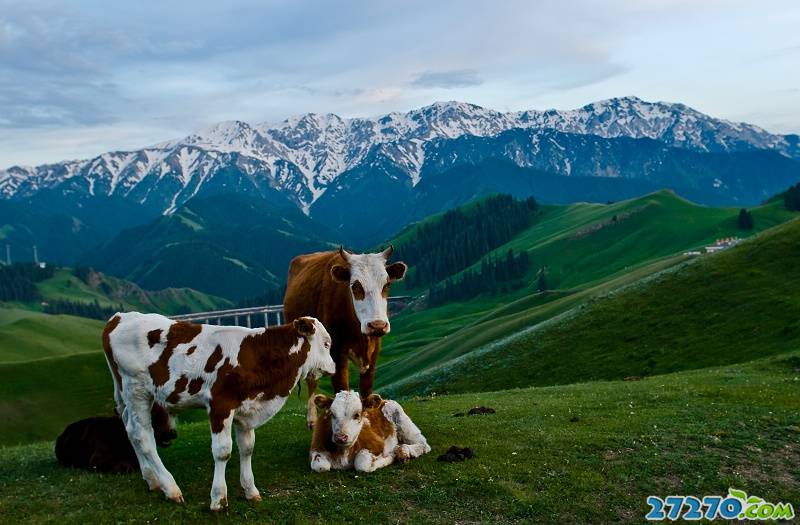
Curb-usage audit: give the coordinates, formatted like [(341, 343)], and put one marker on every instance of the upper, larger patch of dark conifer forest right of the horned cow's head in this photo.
[(460, 238)]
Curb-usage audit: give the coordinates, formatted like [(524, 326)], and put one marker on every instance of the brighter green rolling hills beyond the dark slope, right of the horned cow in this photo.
[(584, 248)]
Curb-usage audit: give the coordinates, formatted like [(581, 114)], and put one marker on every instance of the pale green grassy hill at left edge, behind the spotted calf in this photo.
[(26, 335)]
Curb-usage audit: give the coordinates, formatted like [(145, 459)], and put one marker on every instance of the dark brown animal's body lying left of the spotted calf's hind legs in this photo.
[(97, 443)]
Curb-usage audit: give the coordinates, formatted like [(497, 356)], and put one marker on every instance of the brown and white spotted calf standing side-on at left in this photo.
[(241, 376)]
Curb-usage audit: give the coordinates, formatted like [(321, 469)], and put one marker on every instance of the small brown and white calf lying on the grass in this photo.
[(365, 437)]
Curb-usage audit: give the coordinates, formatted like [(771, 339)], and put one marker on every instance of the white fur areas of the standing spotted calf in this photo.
[(133, 355)]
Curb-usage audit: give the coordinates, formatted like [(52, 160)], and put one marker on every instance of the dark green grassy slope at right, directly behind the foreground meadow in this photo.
[(729, 307)]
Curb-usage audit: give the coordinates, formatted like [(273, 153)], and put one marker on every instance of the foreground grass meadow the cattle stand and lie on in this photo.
[(587, 453)]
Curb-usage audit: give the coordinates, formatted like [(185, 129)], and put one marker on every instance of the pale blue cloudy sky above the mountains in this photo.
[(84, 77)]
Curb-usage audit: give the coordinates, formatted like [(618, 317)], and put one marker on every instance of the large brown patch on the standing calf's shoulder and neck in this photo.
[(265, 368)]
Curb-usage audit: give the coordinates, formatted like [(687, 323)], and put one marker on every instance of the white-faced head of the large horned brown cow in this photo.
[(369, 275)]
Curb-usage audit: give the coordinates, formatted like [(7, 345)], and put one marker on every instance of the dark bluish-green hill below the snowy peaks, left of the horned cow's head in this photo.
[(229, 245)]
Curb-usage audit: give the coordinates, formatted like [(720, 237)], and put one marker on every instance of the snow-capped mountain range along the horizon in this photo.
[(303, 156)]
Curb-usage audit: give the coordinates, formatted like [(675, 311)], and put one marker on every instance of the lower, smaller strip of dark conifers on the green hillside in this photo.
[(496, 275)]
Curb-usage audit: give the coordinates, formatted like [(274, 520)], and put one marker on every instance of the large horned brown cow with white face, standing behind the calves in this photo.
[(348, 292)]
